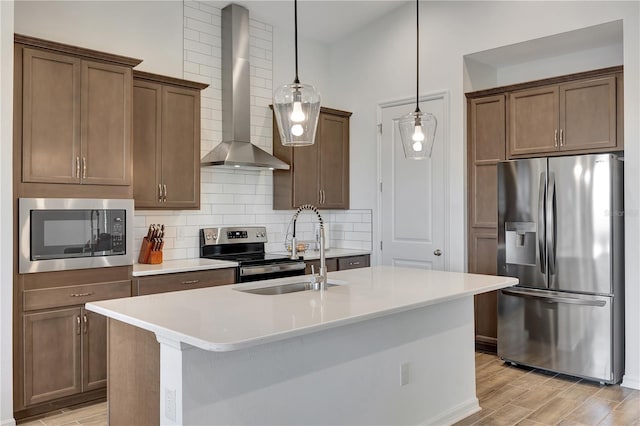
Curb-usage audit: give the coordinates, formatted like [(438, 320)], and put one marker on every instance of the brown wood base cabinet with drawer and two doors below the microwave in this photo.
[(60, 352)]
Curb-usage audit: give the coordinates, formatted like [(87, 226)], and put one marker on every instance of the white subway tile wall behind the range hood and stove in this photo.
[(235, 197)]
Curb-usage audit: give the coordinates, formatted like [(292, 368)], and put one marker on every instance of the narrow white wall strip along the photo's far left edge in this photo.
[(6, 213)]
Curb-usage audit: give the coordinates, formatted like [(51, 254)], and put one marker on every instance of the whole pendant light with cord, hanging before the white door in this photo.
[(417, 129)]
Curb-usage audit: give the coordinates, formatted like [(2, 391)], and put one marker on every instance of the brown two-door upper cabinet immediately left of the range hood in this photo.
[(166, 142)]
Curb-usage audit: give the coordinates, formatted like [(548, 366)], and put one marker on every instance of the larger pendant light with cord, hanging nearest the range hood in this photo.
[(296, 106)]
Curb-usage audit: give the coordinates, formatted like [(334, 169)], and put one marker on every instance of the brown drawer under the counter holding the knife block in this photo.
[(183, 281)]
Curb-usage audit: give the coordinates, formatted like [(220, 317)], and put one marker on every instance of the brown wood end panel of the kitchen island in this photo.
[(133, 376)]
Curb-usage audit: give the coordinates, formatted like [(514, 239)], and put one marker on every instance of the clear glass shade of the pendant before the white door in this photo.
[(417, 132)]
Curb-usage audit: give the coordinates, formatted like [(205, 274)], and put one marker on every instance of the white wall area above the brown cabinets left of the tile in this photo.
[(148, 30)]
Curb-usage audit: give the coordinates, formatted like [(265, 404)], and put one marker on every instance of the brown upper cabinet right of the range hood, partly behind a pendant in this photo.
[(319, 173)]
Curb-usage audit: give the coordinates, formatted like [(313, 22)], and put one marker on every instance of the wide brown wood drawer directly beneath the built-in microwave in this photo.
[(74, 295)]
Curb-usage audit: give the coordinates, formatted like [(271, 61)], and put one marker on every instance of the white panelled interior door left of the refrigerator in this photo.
[(413, 193)]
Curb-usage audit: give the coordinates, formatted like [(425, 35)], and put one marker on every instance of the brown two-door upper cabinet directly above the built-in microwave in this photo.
[(76, 116)]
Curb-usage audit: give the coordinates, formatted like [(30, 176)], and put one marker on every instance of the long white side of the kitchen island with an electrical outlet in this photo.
[(350, 374)]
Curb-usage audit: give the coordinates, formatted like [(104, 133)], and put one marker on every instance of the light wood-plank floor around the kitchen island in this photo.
[(508, 396)]
